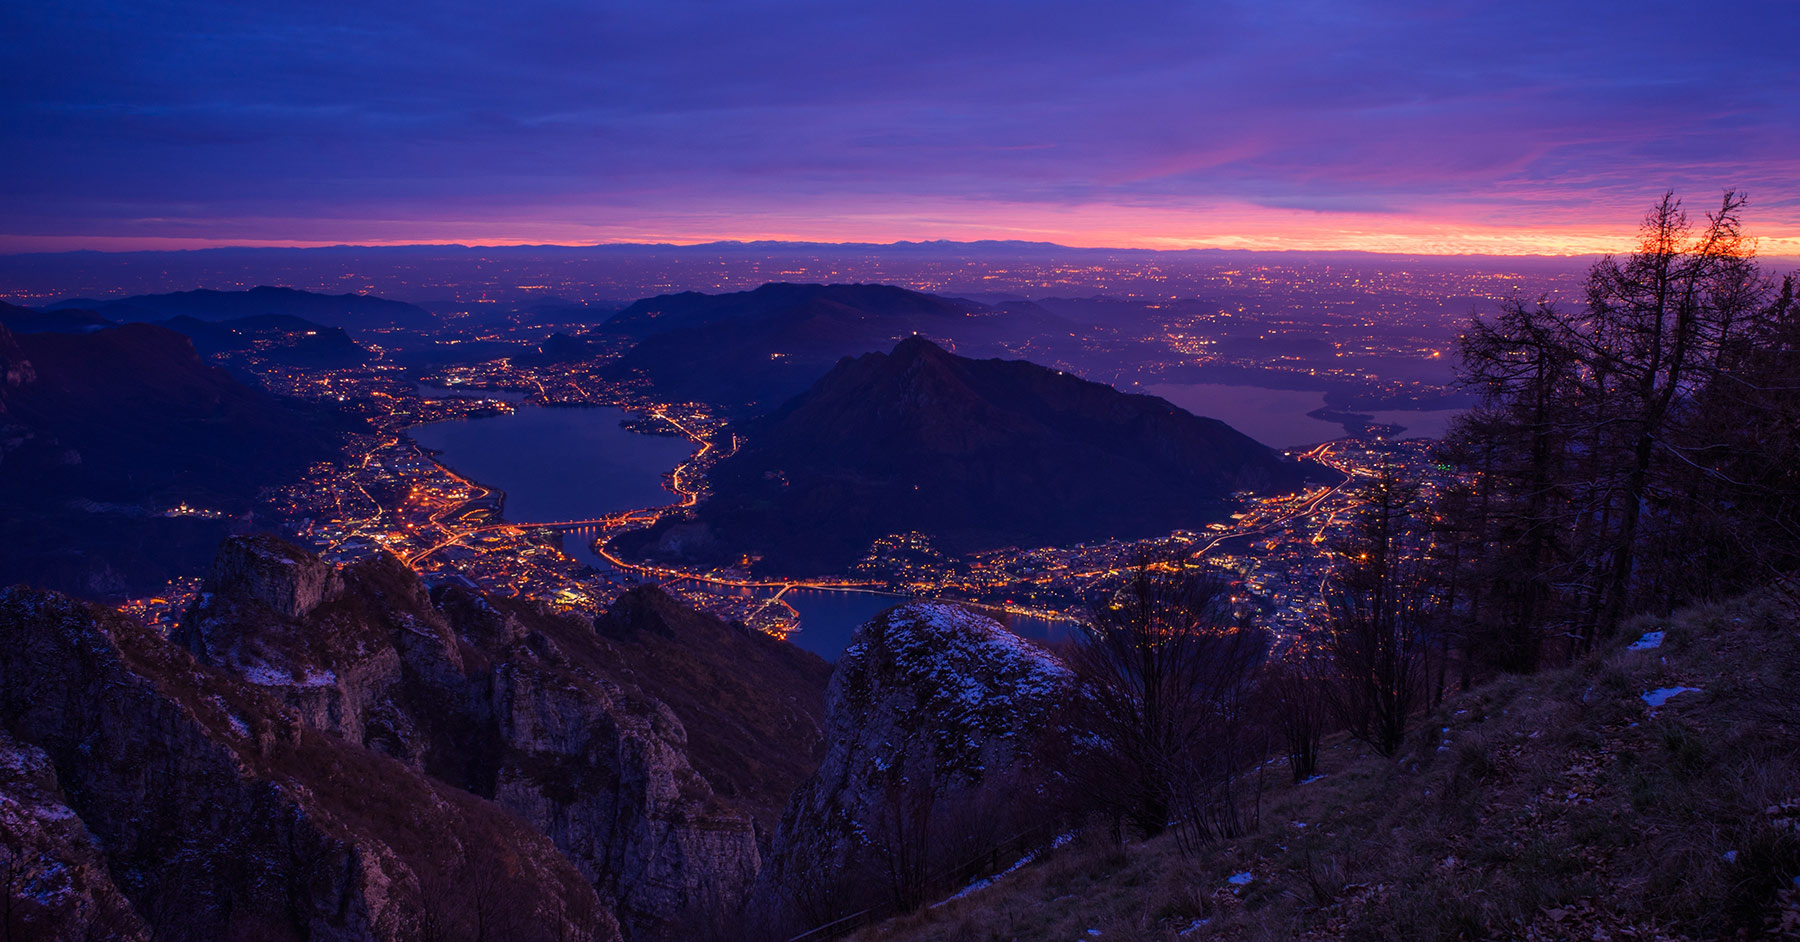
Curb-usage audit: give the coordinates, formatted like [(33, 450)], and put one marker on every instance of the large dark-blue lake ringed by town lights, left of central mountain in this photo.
[(559, 464)]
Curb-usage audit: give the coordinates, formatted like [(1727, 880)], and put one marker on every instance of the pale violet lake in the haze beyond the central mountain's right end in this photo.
[(1279, 417)]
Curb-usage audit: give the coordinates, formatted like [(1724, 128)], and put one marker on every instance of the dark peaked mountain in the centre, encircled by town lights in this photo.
[(976, 453)]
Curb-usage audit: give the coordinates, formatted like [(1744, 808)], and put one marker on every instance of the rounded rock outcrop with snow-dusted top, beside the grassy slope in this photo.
[(935, 718)]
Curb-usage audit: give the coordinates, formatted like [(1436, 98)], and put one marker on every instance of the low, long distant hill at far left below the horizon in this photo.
[(343, 311)]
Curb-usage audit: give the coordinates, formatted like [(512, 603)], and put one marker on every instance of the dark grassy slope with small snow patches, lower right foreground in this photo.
[(1556, 806)]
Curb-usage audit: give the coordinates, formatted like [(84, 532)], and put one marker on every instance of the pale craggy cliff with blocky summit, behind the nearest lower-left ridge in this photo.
[(505, 702)]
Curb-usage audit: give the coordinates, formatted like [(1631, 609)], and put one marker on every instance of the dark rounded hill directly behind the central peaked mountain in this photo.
[(755, 350)]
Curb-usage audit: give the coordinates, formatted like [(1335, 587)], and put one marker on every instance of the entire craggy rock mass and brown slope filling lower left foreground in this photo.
[(337, 754)]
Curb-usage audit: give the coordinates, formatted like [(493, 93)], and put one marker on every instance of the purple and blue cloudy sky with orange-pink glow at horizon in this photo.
[(1408, 127)]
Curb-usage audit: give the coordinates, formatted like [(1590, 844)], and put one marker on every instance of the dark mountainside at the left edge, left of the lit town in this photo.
[(103, 431)]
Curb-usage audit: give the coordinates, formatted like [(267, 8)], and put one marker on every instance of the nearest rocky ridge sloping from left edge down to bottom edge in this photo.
[(224, 817)]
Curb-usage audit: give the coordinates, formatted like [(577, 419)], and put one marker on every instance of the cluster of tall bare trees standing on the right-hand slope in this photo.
[(1619, 451)]
